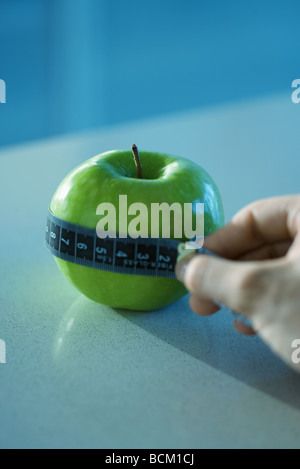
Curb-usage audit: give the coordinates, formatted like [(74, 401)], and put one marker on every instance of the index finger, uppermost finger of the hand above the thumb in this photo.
[(267, 221)]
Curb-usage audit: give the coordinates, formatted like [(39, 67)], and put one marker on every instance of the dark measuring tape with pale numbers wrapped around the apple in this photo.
[(155, 257)]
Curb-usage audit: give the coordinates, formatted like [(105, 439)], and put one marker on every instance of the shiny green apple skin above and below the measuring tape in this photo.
[(103, 178)]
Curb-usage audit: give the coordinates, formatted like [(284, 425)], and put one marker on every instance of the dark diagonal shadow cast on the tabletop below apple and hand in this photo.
[(214, 341)]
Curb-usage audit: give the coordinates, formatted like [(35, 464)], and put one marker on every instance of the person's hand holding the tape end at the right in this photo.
[(260, 275)]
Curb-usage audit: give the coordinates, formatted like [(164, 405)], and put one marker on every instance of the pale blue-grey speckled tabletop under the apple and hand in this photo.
[(79, 374)]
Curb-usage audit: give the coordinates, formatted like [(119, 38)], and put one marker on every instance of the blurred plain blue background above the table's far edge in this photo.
[(78, 64)]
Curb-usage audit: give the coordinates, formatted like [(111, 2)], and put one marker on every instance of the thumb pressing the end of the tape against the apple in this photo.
[(235, 284)]
